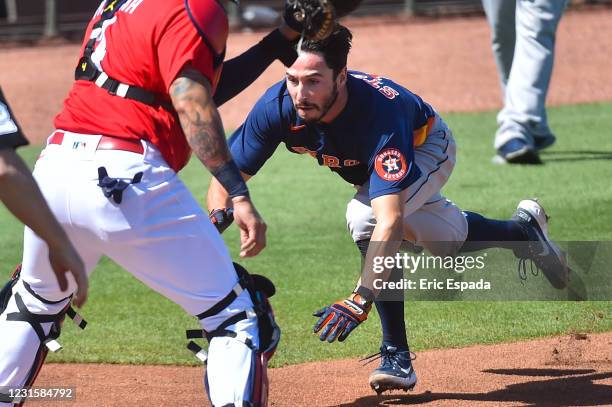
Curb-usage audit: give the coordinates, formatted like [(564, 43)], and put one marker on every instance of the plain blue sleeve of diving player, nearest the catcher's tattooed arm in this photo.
[(256, 140)]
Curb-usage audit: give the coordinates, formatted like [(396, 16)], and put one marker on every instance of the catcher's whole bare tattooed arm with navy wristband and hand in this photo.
[(192, 98)]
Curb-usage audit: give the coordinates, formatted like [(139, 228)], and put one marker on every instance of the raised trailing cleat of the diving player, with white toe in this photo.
[(542, 251)]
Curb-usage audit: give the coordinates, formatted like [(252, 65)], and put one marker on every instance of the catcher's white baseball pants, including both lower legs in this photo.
[(158, 233)]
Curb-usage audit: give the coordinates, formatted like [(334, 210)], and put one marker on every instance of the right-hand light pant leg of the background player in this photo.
[(524, 112)]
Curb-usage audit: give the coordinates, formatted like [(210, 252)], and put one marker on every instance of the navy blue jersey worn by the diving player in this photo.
[(372, 139)]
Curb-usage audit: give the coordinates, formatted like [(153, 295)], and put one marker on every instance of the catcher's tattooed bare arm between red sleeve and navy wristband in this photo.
[(192, 98)]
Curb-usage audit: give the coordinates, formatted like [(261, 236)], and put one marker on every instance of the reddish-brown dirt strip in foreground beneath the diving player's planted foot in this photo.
[(573, 370)]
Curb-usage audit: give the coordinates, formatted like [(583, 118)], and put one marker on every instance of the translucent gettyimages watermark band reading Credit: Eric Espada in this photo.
[(492, 274)]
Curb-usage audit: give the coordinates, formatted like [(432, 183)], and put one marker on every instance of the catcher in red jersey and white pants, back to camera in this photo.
[(150, 76)]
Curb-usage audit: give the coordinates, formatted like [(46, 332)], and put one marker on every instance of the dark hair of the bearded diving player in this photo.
[(334, 48)]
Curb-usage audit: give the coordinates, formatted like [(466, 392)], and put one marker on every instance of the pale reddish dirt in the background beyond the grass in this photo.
[(448, 62)]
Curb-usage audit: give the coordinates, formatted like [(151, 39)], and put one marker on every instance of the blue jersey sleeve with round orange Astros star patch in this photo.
[(392, 166)]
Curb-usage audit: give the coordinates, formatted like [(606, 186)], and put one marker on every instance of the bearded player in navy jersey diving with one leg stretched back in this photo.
[(398, 152)]
